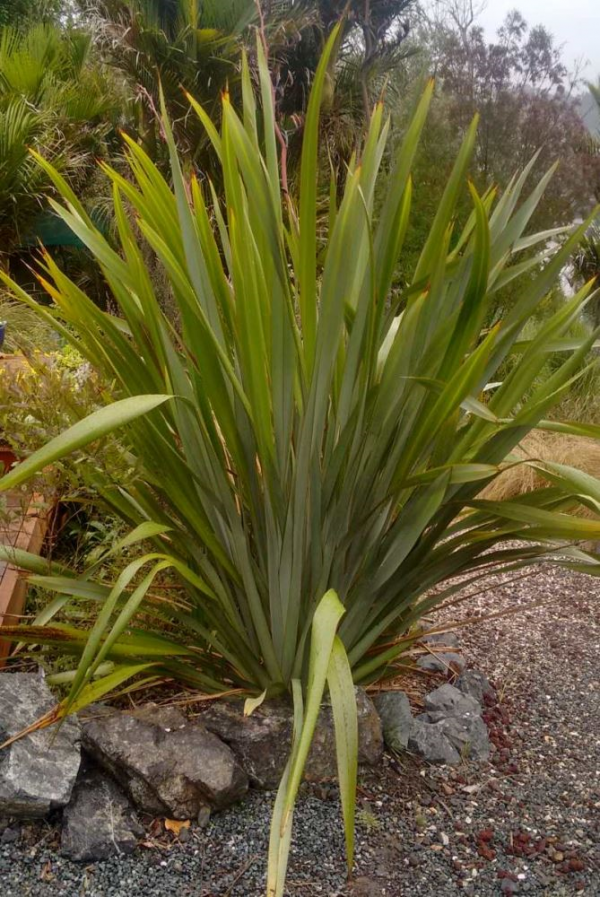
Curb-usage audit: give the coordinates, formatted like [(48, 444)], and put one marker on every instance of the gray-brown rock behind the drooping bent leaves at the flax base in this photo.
[(262, 741)]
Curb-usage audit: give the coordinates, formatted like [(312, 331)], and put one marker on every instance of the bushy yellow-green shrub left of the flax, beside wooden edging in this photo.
[(36, 400)]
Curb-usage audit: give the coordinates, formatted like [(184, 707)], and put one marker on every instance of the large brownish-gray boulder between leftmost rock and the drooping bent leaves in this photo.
[(167, 764)]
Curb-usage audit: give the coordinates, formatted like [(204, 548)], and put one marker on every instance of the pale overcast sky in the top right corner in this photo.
[(574, 23)]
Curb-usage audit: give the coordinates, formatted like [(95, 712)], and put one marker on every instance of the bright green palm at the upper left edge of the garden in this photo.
[(53, 97)]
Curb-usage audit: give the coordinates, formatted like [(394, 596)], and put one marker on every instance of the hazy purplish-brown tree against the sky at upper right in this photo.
[(520, 87)]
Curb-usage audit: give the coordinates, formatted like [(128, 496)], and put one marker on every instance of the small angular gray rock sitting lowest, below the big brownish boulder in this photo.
[(99, 822)]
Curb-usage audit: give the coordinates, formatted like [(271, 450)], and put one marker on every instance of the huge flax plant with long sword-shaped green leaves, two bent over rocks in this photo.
[(308, 452)]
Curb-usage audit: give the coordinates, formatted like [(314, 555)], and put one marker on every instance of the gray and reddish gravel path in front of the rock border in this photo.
[(527, 822)]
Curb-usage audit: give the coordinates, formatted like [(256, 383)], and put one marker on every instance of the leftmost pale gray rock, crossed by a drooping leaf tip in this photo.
[(38, 772)]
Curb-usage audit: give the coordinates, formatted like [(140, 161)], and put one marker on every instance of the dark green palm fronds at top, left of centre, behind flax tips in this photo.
[(176, 46)]
